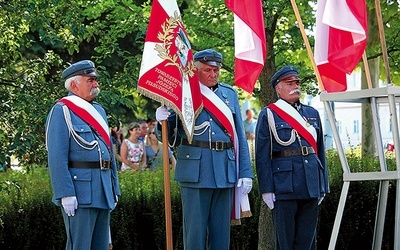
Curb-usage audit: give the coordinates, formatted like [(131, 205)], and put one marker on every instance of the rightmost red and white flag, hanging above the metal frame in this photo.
[(340, 40)]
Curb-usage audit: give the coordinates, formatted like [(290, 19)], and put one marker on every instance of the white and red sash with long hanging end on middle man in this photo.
[(213, 104)]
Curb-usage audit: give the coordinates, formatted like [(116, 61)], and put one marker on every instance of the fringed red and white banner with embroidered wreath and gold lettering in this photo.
[(167, 72)]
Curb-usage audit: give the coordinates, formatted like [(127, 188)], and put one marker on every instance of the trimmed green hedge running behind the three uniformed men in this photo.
[(28, 219)]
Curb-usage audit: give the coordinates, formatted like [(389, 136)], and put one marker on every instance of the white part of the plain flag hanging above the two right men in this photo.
[(248, 45)]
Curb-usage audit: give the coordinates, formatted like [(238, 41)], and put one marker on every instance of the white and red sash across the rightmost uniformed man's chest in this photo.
[(289, 114)]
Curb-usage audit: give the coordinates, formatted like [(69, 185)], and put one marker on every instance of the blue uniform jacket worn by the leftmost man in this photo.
[(94, 188)]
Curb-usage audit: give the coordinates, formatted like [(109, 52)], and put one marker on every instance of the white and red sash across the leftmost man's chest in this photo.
[(89, 114)]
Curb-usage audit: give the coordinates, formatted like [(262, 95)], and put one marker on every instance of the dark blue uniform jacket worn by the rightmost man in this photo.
[(291, 177)]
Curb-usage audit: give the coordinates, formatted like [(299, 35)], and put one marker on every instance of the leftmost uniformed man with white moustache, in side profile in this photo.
[(81, 162)]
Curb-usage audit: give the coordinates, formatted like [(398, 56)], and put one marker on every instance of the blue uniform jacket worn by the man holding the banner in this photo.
[(205, 168)]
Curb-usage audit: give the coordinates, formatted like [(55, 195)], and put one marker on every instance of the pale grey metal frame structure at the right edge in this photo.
[(390, 95)]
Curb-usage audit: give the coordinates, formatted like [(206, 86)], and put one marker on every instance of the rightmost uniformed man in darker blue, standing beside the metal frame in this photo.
[(290, 163)]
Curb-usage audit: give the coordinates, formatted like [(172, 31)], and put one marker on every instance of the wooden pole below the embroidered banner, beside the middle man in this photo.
[(167, 187)]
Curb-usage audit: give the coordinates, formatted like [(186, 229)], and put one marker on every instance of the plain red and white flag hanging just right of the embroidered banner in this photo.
[(250, 42)]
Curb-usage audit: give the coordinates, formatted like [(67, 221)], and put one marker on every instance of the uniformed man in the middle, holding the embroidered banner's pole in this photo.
[(206, 168)]
